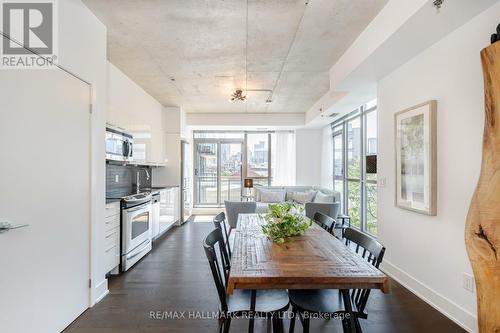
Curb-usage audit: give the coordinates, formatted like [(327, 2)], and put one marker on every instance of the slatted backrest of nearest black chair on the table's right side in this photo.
[(375, 252)]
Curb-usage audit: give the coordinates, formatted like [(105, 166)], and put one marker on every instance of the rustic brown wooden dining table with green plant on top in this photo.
[(313, 260)]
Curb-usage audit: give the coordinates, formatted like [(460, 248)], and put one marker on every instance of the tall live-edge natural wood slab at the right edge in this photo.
[(482, 231)]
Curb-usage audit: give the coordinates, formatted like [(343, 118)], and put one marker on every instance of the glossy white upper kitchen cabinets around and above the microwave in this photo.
[(131, 108)]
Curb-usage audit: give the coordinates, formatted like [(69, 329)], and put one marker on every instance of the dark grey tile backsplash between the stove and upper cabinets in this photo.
[(121, 180)]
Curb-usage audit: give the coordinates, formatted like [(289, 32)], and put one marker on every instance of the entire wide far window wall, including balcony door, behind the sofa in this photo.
[(224, 159)]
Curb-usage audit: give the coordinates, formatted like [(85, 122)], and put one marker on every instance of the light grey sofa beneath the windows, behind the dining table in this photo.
[(318, 203)]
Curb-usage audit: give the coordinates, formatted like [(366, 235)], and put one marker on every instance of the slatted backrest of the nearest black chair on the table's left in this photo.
[(219, 263)]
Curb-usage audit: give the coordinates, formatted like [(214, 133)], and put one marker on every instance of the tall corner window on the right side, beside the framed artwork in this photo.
[(355, 138)]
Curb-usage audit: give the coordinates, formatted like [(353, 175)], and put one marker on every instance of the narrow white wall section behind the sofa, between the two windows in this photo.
[(308, 155)]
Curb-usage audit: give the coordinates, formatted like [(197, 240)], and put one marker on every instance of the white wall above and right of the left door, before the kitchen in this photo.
[(82, 50)]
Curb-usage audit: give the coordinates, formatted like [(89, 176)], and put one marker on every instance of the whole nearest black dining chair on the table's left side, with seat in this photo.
[(270, 304)]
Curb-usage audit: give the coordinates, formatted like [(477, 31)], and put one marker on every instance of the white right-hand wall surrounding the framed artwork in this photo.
[(425, 253)]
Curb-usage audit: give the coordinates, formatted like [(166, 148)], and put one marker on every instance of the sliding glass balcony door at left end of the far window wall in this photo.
[(218, 171)]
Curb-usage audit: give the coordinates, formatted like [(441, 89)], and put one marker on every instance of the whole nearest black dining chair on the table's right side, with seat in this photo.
[(327, 302)]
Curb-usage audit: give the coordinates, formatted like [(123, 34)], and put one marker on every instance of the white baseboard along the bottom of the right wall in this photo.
[(450, 309)]
